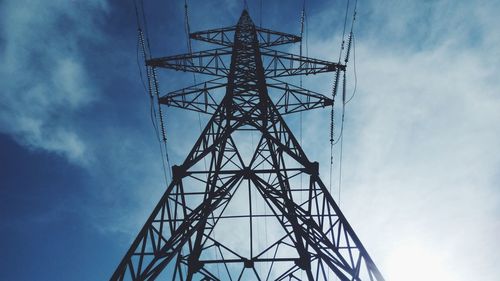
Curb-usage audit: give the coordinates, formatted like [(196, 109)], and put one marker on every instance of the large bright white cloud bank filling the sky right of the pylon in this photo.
[(420, 170)]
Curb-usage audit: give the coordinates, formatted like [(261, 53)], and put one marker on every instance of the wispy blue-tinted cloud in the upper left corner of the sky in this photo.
[(45, 78)]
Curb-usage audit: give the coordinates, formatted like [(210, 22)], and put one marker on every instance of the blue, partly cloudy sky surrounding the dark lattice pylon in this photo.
[(80, 168)]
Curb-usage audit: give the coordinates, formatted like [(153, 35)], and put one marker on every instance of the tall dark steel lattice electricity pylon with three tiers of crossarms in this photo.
[(237, 209)]
